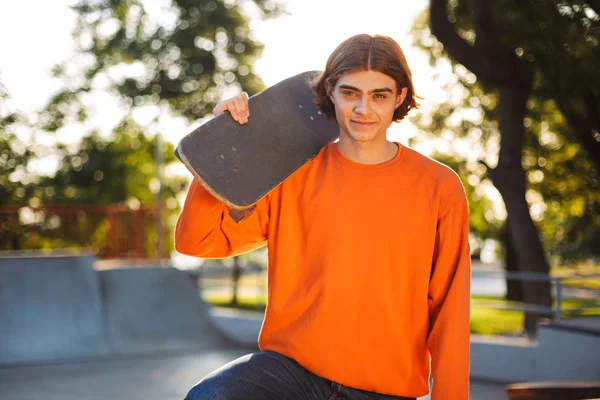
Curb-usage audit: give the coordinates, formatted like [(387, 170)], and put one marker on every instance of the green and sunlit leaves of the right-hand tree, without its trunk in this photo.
[(560, 41)]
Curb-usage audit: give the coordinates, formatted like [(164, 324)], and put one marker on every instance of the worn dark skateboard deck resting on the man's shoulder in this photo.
[(240, 164)]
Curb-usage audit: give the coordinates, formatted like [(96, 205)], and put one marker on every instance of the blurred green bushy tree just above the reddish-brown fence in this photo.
[(118, 169)]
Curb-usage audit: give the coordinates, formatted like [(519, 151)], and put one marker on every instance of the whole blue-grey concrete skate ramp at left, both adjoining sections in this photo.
[(59, 308)]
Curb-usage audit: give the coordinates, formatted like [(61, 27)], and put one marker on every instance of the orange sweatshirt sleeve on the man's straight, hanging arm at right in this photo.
[(449, 298)]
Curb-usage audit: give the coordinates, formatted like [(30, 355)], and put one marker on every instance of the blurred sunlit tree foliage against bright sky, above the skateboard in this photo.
[(182, 56)]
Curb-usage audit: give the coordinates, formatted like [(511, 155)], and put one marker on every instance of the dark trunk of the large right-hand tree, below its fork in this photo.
[(509, 179)]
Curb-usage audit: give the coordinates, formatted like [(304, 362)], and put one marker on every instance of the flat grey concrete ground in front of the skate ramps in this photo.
[(166, 377)]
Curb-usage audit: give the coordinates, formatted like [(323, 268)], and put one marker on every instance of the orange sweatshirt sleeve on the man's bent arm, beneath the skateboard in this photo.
[(205, 229)]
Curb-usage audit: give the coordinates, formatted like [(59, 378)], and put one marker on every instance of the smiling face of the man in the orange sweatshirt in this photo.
[(364, 104)]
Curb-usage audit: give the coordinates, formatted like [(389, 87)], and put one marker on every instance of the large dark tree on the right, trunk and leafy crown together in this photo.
[(500, 52)]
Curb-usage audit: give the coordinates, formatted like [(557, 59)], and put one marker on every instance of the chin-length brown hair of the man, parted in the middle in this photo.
[(363, 53)]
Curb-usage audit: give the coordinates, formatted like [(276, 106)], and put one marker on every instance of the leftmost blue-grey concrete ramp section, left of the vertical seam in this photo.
[(50, 309)]
